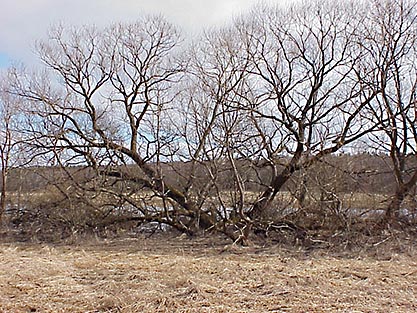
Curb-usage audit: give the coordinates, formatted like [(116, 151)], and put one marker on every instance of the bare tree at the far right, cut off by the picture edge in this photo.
[(391, 39)]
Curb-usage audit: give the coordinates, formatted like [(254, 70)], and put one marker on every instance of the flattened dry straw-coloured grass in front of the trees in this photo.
[(202, 275)]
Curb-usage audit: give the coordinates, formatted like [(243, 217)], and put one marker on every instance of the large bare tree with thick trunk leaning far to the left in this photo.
[(102, 103)]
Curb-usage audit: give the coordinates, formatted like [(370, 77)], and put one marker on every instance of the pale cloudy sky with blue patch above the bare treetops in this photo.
[(24, 21)]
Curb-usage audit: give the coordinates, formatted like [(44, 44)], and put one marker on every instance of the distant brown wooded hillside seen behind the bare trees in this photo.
[(346, 173)]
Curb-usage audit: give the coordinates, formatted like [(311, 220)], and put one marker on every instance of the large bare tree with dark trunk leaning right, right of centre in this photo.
[(305, 94)]
